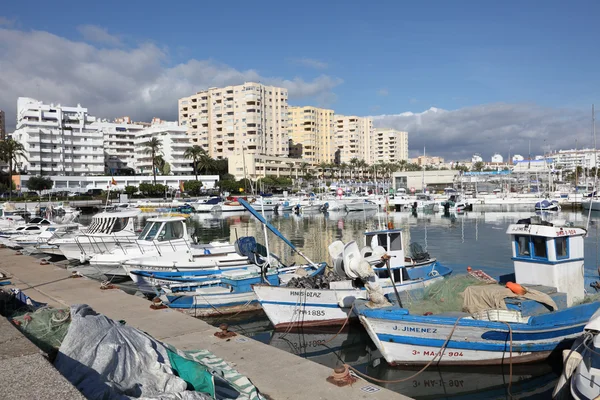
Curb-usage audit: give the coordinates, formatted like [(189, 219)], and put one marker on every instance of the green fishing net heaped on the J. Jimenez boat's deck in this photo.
[(443, 296)]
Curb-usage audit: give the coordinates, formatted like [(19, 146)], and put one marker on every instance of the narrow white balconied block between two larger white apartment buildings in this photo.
[(119, 144)]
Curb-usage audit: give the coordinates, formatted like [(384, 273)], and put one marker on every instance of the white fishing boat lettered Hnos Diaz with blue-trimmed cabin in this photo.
[(290, 307)]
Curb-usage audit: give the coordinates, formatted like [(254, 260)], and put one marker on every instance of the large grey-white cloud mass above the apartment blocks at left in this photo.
[(112, 81)]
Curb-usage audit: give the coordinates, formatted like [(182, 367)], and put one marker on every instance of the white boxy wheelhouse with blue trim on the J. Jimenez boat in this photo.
[(549, 254)]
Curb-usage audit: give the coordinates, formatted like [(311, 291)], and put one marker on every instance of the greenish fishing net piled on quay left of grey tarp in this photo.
[(46, 327)]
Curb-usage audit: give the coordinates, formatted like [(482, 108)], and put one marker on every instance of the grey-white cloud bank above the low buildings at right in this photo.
[(491, 128)]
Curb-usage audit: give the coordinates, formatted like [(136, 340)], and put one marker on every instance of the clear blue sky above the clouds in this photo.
[(371, 58)]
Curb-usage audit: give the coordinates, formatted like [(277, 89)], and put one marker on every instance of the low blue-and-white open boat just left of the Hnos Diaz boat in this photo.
[(231, 291)]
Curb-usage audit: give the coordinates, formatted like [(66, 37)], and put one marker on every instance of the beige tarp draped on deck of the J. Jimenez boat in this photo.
[(486, 297)]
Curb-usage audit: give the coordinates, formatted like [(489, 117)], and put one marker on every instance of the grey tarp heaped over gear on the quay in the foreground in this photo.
[(109, 361)]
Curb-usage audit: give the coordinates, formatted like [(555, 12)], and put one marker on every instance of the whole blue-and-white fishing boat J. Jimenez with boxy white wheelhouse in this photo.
[(537, 313)]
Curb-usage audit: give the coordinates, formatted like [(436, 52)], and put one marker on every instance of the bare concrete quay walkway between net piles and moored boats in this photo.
[(277, 374)]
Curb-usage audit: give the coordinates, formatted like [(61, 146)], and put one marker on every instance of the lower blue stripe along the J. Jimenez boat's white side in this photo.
[(500, 347)]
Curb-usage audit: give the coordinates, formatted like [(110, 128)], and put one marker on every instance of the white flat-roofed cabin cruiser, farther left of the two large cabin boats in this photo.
[(106, 231)]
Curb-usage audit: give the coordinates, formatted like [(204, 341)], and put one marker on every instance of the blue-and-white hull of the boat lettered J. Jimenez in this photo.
[(405, 339)]
